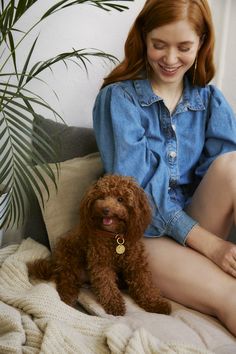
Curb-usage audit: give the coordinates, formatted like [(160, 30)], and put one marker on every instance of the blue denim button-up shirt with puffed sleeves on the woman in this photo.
[(168, 154)]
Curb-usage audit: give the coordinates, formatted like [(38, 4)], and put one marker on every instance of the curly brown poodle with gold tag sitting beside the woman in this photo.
[(107, 244)]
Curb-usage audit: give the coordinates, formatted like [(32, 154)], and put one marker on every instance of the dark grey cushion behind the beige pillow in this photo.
[(70, 142)]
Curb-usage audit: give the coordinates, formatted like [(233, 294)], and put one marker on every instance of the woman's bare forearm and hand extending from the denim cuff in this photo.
[(219, 251)]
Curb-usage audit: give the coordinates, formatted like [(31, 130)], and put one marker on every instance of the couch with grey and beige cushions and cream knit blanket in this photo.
[(32, 316)]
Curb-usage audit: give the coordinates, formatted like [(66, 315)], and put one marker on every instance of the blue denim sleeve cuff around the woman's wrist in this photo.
[(179, 226)]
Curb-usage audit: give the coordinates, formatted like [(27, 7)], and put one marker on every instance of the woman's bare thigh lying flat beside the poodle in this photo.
[(187, 277)]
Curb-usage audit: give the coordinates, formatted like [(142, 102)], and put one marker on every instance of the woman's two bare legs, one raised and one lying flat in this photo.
[(184, 274)]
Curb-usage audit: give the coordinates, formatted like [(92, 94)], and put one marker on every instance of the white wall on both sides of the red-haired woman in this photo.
[(85, 26)]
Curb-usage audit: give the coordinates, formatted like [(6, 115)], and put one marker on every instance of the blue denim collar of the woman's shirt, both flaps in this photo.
[(191, 98)]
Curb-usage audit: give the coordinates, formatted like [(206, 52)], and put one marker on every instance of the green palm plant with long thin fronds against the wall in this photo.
[(18, 107)]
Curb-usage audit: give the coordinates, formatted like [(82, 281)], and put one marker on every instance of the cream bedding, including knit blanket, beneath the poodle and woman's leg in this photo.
[(33, 319)]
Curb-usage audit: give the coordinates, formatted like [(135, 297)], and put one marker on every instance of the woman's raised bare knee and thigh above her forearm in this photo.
[(213, 201)]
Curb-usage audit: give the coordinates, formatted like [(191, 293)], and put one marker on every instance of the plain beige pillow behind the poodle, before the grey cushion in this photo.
[(60, 211)]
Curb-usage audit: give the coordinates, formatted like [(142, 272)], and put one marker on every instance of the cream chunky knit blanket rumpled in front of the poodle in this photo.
[(33, 319)]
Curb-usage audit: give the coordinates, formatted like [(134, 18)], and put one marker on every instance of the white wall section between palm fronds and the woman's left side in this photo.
[(82, 26)]
